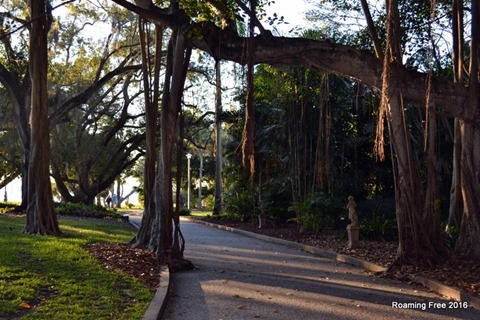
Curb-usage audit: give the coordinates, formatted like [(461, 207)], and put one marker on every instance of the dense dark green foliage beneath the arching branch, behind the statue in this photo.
[(294, 145)]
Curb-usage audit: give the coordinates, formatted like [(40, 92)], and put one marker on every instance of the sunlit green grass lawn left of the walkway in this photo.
[(44, 277)]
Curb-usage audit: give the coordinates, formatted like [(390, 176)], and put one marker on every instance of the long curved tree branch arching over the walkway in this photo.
[(342, 60)]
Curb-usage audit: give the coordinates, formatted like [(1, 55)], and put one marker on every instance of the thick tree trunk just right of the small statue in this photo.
[(418, 226)]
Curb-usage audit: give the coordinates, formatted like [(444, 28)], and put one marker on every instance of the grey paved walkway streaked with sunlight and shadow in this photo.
[(239, 277)]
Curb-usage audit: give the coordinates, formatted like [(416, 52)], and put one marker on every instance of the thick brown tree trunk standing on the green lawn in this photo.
[(41, 218)]
